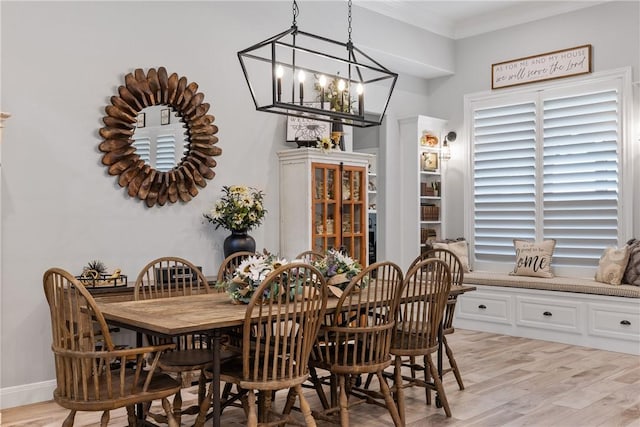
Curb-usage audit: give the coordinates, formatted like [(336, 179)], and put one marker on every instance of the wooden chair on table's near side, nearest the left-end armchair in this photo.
[(280, 327)]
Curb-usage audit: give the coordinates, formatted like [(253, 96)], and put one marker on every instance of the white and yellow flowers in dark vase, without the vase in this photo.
[(240, 208)]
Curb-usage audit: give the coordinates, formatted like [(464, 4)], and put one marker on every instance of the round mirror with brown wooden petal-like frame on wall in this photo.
[(155, 161)]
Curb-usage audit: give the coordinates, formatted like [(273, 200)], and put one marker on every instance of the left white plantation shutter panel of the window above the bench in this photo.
[(504, 180)]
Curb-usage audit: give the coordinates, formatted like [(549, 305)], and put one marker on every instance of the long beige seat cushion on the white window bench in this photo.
[(564, 284)]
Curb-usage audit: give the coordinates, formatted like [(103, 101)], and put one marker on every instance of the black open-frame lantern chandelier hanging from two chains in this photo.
[(305, 75)]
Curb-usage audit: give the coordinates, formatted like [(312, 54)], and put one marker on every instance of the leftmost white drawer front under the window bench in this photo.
[(486, 307)]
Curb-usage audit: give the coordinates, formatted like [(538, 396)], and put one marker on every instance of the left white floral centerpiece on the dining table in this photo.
[(249, 275)]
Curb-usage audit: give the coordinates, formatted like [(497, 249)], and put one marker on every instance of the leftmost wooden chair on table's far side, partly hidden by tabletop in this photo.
[(168, 277)]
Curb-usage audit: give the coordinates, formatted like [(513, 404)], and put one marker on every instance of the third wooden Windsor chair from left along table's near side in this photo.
[(424, 296)]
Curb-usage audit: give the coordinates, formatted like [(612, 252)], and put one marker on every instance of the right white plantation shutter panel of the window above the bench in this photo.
[(581, 188)]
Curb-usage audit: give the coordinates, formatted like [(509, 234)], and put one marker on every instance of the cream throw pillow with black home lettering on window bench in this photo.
[(533, 259)]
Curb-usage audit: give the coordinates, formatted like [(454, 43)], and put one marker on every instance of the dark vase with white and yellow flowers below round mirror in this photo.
[(239, 210)]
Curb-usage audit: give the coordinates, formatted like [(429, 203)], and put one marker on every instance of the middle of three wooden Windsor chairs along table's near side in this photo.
[(356, 340)]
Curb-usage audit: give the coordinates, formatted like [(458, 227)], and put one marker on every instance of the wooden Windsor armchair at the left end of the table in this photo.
[(91, 373)]
